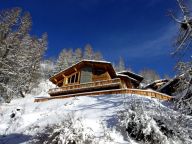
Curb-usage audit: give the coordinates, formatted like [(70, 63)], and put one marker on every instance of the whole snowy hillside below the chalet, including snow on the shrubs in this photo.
[(97, 118)]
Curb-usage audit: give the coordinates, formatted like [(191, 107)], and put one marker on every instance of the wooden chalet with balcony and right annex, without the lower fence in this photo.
[(90, 75)]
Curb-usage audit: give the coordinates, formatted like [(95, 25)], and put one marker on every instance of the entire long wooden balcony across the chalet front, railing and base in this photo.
[(86, 87)]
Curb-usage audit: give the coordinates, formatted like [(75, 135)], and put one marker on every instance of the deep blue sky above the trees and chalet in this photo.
[(138, 30)]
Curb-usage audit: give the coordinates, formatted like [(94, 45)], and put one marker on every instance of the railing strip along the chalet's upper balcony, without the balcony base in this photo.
[(85, 85)]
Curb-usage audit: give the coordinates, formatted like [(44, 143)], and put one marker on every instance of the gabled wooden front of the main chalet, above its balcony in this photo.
[(84, 72)]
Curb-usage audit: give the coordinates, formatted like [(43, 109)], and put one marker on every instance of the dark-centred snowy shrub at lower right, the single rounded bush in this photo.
[(141, 127)]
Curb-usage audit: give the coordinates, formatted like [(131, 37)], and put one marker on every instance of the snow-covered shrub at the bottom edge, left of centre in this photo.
[(69, 131)]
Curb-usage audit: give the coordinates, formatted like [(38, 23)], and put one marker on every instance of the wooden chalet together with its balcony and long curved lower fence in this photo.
[(89, 77)]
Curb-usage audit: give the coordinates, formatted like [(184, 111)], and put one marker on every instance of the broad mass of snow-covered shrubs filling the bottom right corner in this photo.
[(144, 124)]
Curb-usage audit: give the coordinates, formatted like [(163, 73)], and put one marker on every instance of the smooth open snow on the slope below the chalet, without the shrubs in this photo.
[(94, 110)]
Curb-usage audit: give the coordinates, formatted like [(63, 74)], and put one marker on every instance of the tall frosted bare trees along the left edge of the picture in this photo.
[(20, 53)]
